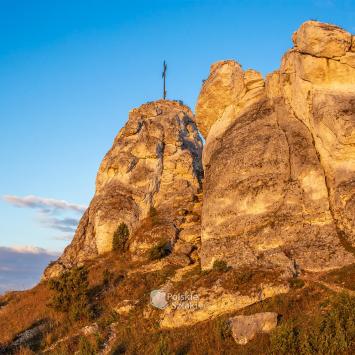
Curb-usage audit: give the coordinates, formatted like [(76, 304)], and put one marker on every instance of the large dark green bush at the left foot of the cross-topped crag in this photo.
[(71, 293)]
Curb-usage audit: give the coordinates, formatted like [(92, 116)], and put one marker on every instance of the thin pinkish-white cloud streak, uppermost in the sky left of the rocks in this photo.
[(42, 203)]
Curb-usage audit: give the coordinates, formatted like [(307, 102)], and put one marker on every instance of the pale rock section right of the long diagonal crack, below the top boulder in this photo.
[(321, 94)]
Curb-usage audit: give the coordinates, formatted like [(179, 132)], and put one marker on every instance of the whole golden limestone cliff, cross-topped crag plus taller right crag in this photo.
[(279, 164)]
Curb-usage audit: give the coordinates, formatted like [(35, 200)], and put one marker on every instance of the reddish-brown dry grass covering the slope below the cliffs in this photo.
[(139, 334)]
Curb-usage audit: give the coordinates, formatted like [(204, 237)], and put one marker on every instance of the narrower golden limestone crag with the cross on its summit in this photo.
[(155, 161)]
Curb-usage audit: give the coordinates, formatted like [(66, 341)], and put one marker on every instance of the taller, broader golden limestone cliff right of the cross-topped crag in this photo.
[(279, 157)]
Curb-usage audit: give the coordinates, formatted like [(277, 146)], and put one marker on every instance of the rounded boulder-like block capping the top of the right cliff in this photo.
[(322, 39)]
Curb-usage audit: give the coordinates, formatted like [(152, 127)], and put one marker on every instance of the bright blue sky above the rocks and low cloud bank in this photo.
[(71, 70)]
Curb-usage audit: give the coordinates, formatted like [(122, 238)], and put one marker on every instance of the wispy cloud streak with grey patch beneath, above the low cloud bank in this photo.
[(51, 213)]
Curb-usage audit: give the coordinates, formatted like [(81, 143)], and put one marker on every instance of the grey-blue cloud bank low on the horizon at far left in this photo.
[(21, 266)]
